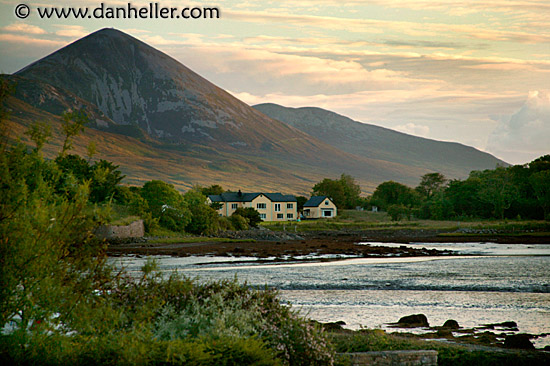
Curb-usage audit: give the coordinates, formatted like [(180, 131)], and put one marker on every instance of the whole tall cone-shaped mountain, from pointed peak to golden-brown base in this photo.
[(158, 119)]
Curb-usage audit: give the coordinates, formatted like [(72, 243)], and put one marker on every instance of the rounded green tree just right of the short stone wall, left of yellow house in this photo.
[(166, 204)]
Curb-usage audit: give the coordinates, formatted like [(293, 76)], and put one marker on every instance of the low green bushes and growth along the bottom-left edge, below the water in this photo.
[(173, 321)]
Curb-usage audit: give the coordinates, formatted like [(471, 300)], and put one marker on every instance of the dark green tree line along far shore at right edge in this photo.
[(519, 191)]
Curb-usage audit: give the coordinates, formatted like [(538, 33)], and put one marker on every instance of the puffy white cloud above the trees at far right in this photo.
[(525, 135)]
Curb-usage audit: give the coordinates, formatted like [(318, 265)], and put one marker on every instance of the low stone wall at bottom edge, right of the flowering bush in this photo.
[(390, 358)]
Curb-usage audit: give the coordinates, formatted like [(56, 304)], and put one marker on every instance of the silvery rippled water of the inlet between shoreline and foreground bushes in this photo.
[(492, 284)]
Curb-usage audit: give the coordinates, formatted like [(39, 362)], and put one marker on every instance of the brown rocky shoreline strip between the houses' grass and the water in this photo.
[(263, 243)]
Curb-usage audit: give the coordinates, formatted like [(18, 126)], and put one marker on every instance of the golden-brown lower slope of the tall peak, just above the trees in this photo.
[(141, 161)]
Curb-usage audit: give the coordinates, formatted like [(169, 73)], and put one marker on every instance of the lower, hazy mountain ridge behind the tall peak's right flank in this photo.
[(452, 159)]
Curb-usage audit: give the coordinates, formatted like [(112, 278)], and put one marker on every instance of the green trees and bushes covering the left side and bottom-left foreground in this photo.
[(61, 303)]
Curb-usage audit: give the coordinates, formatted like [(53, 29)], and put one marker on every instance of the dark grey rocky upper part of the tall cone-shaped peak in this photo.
[(134, 84)]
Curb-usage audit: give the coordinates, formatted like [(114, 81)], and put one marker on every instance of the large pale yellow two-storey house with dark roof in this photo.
[(271, 206)]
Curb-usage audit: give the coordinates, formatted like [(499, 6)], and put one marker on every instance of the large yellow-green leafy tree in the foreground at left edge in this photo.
[(50, 264)]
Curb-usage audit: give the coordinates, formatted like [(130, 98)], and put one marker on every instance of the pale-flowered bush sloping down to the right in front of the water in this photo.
[(223, 310)]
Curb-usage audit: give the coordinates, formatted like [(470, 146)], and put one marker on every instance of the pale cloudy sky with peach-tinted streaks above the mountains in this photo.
[(475, 72)]
